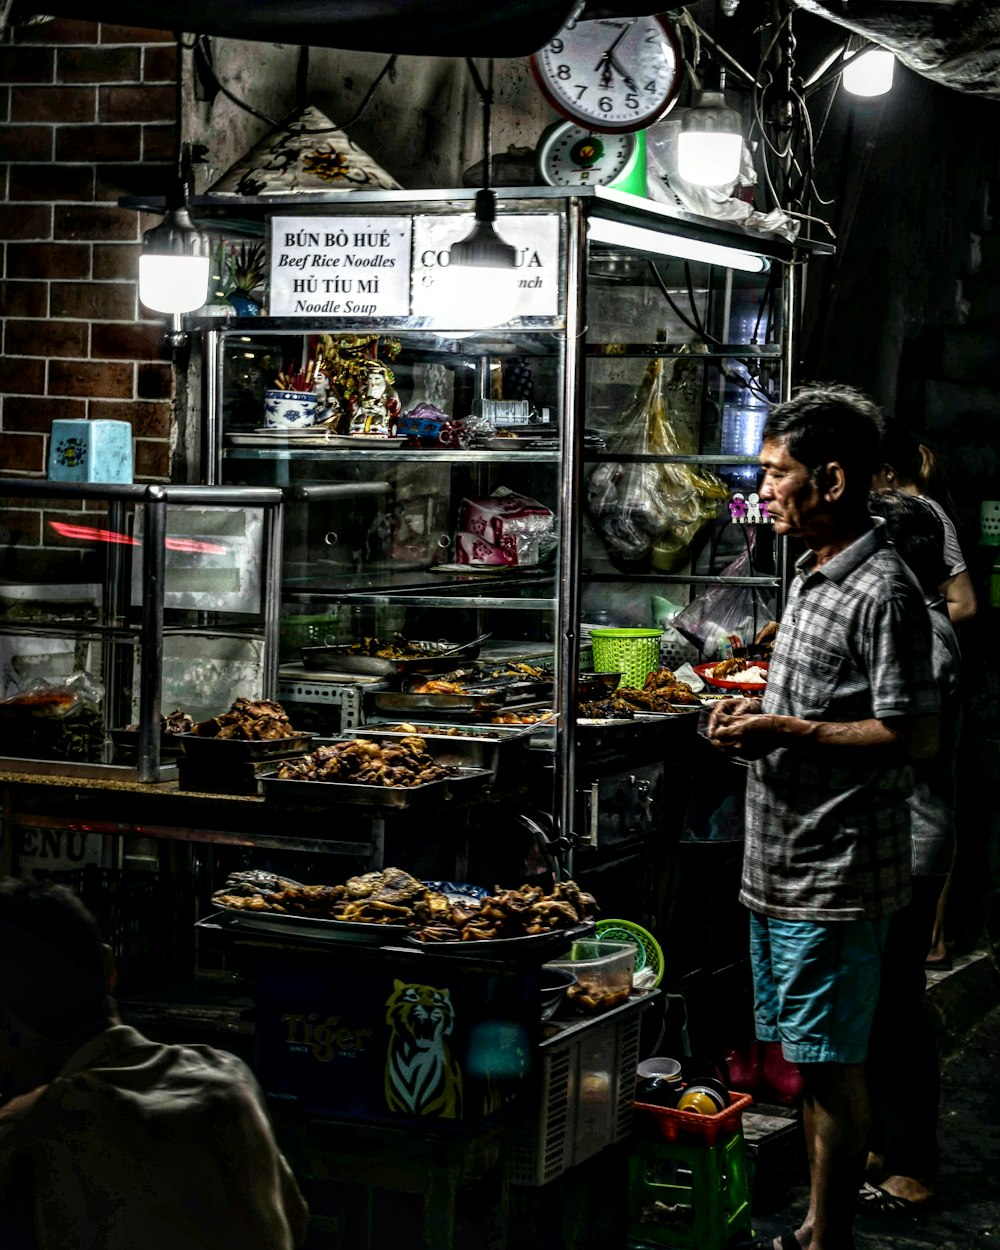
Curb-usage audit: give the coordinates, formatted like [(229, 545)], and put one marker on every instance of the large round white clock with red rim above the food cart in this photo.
[(613, 76)]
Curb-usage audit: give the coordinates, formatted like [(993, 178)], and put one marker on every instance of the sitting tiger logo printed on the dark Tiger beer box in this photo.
[(421, 1076)]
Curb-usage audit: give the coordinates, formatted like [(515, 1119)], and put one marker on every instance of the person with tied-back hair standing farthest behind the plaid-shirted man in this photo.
[(913, 468)]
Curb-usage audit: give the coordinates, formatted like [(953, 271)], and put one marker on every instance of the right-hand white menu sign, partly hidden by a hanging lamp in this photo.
[(536, 238)]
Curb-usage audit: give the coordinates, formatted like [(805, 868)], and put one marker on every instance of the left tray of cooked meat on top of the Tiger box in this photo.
[(376, 909)]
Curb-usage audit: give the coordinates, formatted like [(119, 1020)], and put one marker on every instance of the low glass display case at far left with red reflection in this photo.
[(122, 604)]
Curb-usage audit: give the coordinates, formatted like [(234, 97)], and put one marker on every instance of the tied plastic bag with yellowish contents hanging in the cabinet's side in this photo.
[(651, 512)]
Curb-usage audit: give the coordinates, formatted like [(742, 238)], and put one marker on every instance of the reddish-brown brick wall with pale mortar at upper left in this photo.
[(87, 116)]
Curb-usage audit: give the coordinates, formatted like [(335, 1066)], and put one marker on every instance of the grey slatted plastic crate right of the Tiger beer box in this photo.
[(583, 1096)]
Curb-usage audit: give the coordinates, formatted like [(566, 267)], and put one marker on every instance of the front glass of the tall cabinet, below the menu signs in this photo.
[(444, 531)]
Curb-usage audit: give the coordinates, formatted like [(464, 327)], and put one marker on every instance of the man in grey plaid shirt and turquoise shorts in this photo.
[(851, 703)]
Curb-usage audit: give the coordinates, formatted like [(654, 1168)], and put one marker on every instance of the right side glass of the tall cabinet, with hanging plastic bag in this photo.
[(683, 362)]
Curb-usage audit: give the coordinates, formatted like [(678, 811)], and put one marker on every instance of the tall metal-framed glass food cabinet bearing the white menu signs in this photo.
[(589, 462)]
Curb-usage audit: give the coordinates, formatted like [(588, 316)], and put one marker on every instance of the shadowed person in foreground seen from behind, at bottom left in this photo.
[(109, 1141)]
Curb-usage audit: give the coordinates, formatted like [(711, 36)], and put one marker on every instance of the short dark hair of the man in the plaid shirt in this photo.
[(827, 423)]
